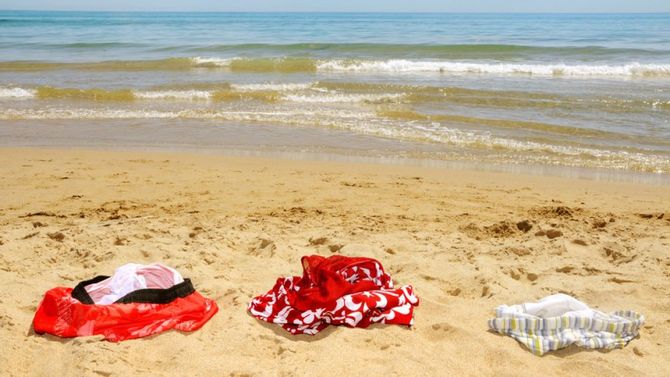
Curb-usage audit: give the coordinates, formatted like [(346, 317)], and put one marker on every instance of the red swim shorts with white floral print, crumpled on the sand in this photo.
[(338, 290)]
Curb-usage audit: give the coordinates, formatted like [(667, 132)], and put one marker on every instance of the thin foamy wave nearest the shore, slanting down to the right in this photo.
[(372, 124)]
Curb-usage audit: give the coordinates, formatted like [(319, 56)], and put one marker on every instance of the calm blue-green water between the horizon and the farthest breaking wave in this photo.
[(67, 36)]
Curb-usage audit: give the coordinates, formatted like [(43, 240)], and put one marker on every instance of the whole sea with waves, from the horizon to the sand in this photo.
[(569, 92)]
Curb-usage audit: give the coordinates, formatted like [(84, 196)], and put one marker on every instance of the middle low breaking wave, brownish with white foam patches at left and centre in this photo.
[(324, 92)]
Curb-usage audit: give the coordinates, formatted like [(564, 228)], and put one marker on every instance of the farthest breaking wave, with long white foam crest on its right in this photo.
[(381, 67)]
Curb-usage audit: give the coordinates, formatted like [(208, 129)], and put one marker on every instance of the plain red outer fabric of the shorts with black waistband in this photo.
[(60, 314)]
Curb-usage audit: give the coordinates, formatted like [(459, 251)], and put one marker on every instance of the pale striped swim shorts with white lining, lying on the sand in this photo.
[(560, 320)]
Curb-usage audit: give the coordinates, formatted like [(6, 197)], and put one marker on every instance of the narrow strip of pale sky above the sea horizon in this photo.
[(601, 6)]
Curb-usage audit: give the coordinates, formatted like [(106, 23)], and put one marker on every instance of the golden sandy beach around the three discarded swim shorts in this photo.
[(234, 225)]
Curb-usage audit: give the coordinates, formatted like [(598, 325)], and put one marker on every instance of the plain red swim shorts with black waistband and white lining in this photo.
[(137, 301)]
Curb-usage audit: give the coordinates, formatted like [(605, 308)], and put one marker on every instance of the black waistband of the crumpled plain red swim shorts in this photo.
[(149, 295)]
